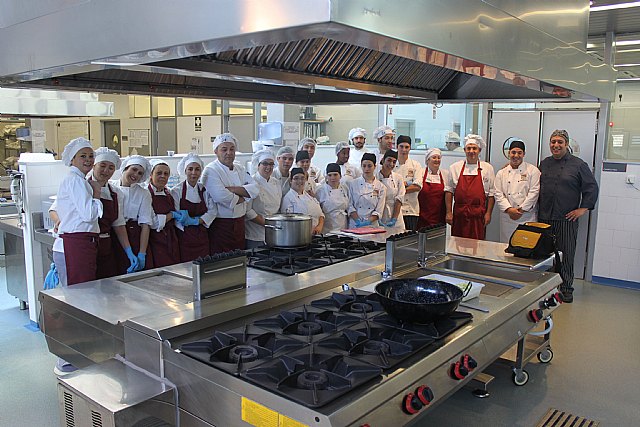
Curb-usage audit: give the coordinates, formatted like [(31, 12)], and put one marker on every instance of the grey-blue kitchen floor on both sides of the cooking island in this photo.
[(595, 372)]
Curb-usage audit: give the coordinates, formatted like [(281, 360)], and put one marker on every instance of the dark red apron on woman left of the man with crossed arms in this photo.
[(194, 240)]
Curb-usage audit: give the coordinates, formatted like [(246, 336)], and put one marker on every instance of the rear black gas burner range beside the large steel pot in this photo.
[(323, 251)]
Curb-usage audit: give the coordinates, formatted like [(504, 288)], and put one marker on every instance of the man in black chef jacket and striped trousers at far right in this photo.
[(568, 190)]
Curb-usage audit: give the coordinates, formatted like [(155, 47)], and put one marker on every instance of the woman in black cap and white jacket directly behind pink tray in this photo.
[(366, 195)]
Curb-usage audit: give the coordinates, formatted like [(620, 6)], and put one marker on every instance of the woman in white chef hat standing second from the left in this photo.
[(112, 220)]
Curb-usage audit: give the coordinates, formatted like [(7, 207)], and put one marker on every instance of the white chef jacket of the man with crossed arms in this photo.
[(216, 177)]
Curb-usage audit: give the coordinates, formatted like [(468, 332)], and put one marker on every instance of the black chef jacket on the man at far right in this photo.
[(565, 184)]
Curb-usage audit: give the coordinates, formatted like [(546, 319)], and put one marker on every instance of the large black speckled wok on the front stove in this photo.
[(419, 300)]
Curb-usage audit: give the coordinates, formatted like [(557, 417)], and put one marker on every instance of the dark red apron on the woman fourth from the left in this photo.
[(163, 244)]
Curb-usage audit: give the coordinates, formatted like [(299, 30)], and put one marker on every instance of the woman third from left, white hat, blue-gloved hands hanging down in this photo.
[(137, 210)]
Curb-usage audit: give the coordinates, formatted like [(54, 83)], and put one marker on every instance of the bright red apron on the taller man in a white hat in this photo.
[(470, 205)]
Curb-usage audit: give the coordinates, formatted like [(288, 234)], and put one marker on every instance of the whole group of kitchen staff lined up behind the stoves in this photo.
[(109, 227)]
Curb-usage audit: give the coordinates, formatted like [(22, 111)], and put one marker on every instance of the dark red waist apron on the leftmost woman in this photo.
[(80, 256)]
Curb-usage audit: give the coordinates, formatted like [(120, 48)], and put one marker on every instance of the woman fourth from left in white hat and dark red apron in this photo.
[(163, 239)]
